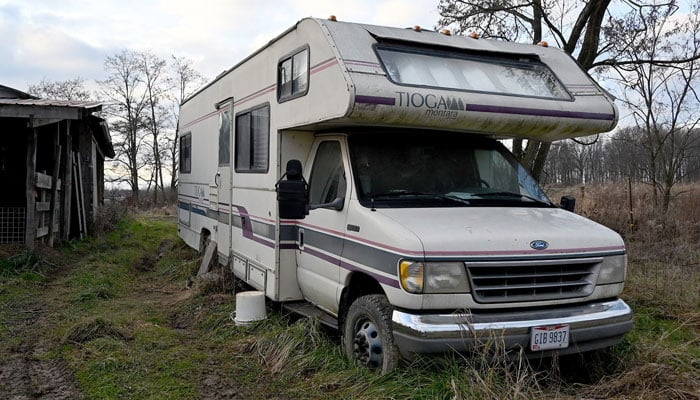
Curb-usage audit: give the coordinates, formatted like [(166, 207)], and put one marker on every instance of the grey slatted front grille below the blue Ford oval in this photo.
[(521, 281)]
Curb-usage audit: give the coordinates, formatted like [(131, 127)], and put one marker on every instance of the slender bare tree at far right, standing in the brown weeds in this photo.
[(662, 96)]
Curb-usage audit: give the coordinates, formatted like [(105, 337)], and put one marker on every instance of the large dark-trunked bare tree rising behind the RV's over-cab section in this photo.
[(587, 30)]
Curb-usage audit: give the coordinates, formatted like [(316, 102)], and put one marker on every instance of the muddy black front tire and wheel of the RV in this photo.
[(367, 334)]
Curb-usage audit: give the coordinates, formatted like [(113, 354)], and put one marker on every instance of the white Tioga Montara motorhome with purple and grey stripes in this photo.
[(353, 172)]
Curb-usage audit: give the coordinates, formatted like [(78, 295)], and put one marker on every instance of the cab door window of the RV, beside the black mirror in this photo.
[(328, 175)]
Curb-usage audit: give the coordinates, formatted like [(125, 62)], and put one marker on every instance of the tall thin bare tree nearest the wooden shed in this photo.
[(127, 104)]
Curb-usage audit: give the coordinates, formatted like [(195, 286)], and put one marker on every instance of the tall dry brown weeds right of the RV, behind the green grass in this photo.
[(663, 250)]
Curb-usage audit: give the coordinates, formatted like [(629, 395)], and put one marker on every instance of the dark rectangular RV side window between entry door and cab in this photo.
[(253, 140)]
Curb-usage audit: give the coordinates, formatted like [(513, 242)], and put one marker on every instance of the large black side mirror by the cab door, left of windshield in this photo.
[(293, 193)]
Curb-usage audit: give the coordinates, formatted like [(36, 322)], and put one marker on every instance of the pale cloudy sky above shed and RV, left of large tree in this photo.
[(63, 39)]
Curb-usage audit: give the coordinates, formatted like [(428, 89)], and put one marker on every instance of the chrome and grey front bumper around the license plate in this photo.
[(592, 326)]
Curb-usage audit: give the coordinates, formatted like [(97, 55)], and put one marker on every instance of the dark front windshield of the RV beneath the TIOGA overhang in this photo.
[(425, 170)]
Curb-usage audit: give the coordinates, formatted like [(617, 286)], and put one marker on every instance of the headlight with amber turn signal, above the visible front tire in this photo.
[(433, 277)]
